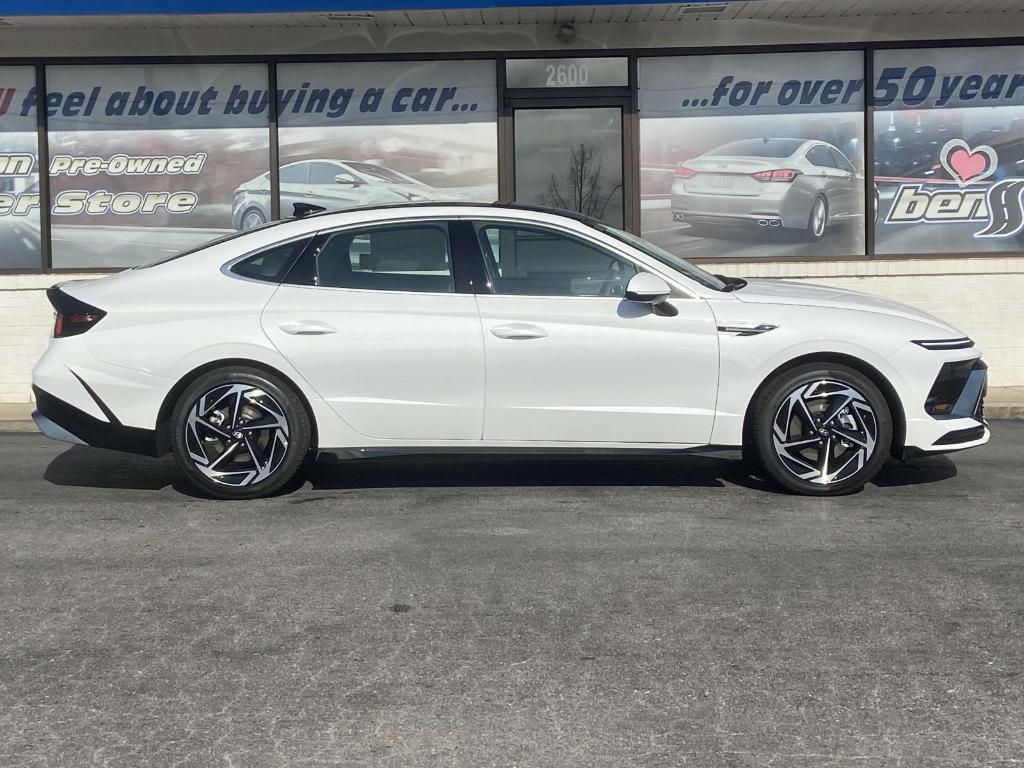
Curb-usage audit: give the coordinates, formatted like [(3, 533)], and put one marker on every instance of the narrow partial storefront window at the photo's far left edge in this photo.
[(20, 246)]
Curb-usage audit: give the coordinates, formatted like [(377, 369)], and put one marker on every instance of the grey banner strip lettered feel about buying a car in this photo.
[(120, 98)]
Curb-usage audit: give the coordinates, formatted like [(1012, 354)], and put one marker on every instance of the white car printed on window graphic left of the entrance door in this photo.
[(332, 185)]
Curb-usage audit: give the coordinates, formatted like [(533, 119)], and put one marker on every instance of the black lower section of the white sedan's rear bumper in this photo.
[(62, 421)]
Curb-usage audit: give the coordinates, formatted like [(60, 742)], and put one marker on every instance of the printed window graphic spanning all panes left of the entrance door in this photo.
[(146, 160)]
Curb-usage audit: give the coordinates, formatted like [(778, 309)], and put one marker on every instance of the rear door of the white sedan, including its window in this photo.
[(375, 320)]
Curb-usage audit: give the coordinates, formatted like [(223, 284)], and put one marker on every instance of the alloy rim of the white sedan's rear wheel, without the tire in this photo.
[(237, 435)]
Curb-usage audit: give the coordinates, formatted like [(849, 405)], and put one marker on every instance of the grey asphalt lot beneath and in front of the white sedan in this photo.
[(511, 612)]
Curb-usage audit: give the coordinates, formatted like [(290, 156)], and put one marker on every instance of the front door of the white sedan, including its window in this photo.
[(569, 359)]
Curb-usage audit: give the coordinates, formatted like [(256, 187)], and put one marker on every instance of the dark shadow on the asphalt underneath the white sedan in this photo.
[(86, 467)]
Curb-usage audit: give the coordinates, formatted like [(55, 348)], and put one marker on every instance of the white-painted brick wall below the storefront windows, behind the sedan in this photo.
[(983, 296)]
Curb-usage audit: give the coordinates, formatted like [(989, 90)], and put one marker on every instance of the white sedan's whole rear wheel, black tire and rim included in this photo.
[(265, 411)]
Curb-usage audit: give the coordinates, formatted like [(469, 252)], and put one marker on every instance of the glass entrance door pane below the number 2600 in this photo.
[(571, 158)]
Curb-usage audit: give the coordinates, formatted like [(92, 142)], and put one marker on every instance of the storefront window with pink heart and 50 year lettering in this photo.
[(950, 151)]
